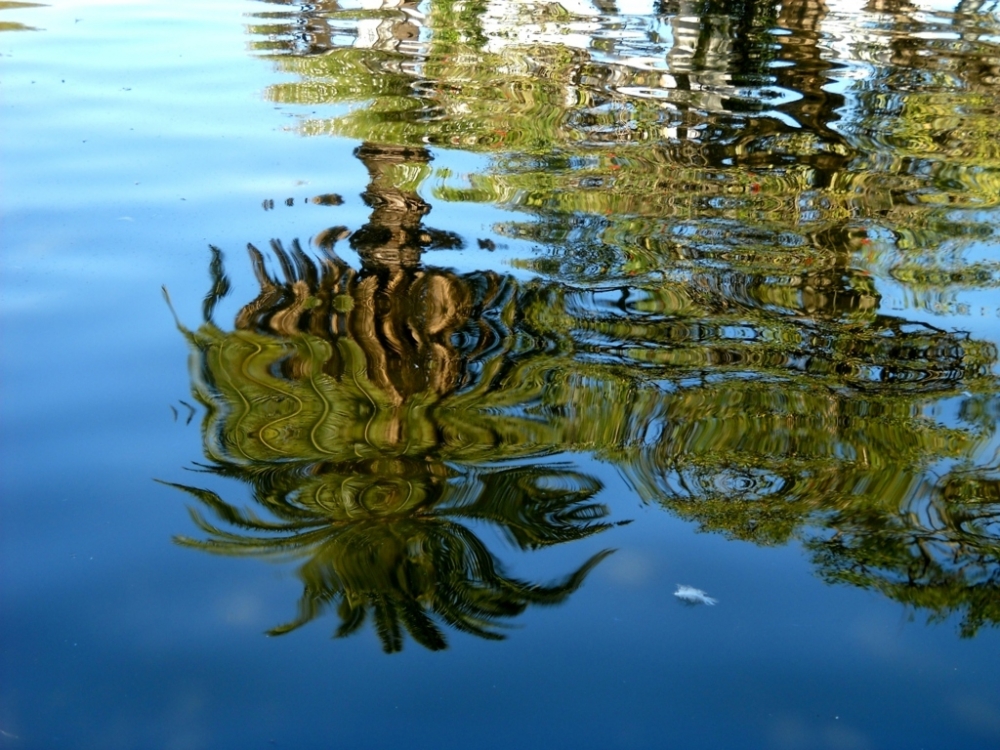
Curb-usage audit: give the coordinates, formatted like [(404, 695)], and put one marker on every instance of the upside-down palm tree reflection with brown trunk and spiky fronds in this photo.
[(355, 405)]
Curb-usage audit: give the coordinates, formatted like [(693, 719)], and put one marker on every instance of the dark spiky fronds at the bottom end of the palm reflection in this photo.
[(393, 541)]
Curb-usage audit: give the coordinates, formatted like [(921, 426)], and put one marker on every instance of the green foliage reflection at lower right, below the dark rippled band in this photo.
[(853, 479)]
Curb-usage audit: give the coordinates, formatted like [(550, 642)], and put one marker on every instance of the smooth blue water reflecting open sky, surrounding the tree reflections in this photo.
[(148, 645)]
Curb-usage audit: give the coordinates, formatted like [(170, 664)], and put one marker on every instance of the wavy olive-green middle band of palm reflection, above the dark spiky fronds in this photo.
[(343, 401)]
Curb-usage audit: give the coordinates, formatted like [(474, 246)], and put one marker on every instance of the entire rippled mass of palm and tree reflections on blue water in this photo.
[(719, 195)]
